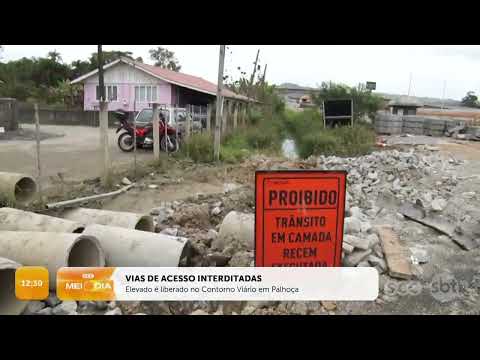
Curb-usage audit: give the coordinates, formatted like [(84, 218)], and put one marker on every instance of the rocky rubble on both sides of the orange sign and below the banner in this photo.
[(377, 185)]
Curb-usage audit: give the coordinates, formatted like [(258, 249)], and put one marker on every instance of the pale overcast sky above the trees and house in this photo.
[(390, 66)]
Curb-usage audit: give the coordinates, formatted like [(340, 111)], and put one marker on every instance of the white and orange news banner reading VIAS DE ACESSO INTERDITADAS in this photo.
[(218, 284)]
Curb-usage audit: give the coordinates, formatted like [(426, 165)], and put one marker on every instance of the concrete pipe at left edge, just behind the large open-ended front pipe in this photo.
[(18, 220)]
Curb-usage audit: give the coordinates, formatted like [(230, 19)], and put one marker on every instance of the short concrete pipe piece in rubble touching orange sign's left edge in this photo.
[(239, 226)]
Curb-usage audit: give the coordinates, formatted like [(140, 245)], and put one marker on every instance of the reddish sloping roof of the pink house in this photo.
[(184, 80)]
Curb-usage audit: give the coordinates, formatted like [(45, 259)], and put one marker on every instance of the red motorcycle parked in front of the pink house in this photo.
[(144, 134)]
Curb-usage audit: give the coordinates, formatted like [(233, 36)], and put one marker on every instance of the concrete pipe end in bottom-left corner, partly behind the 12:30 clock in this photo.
[(9, 304)]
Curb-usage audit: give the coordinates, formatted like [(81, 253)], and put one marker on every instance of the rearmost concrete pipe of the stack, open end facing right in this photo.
[(111, 218)]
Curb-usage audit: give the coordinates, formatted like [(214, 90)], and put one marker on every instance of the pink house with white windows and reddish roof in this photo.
[(132, 86)]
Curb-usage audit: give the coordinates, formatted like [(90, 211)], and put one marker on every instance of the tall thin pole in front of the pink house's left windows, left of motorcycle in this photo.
[(103, 118)]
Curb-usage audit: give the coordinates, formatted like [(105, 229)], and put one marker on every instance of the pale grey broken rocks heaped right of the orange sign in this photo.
[(395, 172)]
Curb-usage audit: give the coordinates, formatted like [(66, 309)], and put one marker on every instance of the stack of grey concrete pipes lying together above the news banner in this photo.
[(32, 239)]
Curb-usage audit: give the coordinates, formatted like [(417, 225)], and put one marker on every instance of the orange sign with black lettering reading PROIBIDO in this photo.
[(299, 218)]
